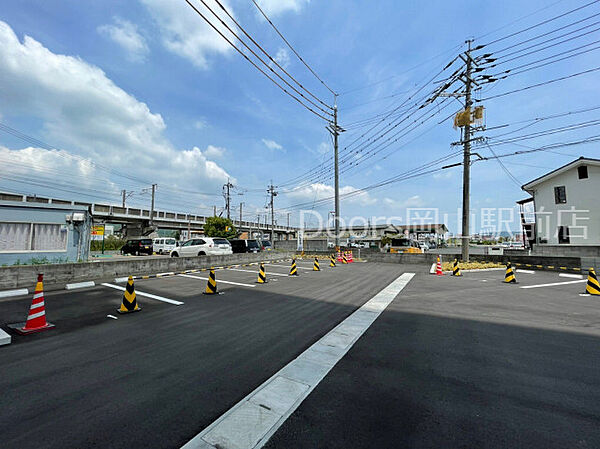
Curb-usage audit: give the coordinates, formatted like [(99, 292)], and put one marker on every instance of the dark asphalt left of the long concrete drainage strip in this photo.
[(158, 377)]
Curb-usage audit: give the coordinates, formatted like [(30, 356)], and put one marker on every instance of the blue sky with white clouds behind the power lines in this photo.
[(148, 93)]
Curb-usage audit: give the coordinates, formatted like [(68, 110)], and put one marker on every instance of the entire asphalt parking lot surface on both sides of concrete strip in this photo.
[(451, 362)]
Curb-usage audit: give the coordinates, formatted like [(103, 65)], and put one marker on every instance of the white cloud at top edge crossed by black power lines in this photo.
[(186, 34)]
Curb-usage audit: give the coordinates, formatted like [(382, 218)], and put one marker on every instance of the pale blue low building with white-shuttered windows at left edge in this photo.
[(35, 228)]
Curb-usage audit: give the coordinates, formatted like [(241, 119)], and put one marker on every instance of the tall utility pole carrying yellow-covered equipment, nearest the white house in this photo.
[(467, 161)]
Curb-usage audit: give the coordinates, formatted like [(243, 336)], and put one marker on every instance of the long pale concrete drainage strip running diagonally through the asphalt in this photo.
[(253, 420)]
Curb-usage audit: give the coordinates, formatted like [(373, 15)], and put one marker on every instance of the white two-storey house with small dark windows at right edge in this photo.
[(566, 206)]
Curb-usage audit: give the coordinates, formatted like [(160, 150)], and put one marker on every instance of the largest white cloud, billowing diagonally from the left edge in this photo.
[(84, 111)]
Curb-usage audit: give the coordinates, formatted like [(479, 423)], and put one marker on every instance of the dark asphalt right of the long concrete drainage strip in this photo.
[(464, 363)]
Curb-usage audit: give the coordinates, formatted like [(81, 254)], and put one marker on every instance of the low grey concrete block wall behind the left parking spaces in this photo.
[(57, 275)]
